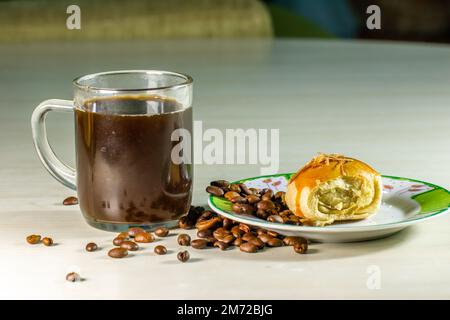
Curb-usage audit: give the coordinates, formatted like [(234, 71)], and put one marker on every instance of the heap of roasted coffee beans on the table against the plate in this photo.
[(223, 233)]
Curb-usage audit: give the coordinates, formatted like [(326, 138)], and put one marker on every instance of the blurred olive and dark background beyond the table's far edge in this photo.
[(37, 20)]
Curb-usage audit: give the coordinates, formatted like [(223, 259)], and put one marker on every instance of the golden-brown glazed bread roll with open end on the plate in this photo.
[(332, 188)]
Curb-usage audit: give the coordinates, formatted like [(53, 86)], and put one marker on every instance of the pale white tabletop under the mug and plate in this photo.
[(388, 104)]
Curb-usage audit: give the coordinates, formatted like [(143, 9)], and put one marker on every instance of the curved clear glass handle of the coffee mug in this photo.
[(59, 170)]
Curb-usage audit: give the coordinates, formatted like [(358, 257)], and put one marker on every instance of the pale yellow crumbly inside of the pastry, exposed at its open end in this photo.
[(343, 195)]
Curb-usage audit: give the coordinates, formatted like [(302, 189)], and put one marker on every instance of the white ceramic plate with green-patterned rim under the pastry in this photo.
[(405, 202)]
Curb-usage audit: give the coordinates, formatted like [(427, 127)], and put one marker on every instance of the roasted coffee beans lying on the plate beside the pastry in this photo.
[(264, 204)]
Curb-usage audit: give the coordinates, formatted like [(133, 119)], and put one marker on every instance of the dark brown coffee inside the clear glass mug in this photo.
[(124, 168)]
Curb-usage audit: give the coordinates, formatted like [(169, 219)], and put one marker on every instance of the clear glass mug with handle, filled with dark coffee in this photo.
[(126, 174)]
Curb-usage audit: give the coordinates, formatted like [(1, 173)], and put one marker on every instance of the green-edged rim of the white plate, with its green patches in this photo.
[(437, 195)]
